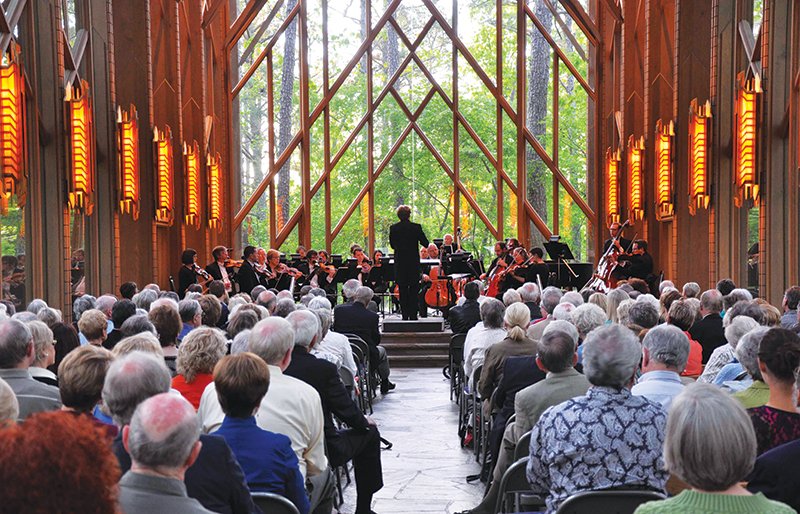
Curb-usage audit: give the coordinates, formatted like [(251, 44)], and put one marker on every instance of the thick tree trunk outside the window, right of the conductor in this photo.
[(536, 120)]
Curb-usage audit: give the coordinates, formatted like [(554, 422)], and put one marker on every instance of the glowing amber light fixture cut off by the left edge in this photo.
[(12, 125)]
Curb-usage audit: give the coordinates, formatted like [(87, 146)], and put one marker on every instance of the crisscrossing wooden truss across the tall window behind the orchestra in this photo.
[(309, 115)]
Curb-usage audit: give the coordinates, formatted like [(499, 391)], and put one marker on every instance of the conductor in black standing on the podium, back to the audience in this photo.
[(406, 238)]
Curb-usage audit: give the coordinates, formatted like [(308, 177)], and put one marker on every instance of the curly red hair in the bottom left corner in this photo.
[(58, 462)]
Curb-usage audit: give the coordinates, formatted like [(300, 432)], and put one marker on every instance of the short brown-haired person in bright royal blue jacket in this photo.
[(267, 459)]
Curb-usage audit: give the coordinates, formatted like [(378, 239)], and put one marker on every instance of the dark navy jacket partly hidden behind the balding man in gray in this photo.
[(216, 480)]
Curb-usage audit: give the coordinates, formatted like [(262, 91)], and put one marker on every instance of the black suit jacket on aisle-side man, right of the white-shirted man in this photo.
[(324, 378)]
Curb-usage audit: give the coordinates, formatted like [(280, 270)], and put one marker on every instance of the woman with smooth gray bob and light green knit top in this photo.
[(711, 446)]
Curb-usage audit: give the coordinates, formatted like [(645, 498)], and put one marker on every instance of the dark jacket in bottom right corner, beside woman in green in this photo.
[(777, 474)]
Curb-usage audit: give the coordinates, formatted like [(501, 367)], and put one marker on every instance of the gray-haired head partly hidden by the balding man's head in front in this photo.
[(130, 380)]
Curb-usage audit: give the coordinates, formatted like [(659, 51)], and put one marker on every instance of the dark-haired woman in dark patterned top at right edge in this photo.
[(778, 421)]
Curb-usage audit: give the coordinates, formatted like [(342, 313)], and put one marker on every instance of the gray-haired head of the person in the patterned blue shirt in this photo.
[(611, 355)]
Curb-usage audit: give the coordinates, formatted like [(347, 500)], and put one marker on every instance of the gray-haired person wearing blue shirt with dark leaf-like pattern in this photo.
[(571, 452)]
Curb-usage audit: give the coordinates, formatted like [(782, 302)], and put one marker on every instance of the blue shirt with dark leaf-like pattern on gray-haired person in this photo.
[(605, 439)]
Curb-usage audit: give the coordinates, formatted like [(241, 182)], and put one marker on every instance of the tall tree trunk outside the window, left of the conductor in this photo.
[(285, 115)]
